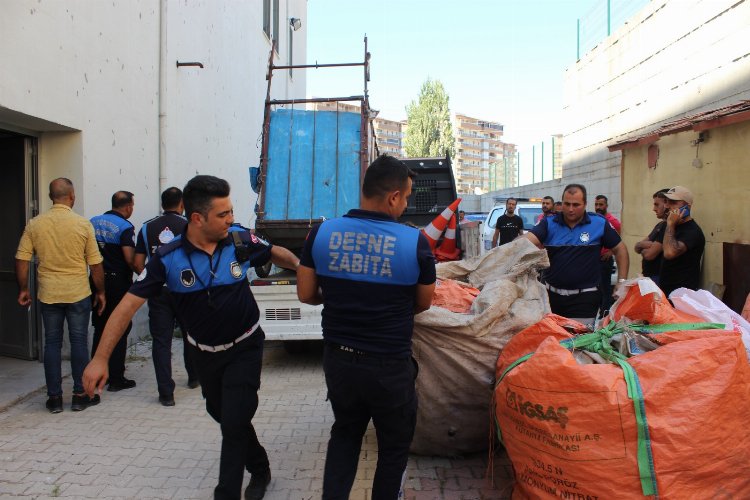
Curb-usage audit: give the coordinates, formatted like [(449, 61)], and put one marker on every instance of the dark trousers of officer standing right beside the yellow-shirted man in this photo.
[(116, 285)]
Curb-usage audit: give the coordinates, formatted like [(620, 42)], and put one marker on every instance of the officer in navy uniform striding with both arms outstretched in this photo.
[(206, 272)]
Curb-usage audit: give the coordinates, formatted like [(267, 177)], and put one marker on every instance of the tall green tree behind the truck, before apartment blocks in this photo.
[(429, 132)]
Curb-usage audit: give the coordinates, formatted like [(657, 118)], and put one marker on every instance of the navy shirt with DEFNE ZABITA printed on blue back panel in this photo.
[(368, 266)]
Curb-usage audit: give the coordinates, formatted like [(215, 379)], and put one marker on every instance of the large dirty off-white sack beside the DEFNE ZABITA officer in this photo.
[(457, 351)]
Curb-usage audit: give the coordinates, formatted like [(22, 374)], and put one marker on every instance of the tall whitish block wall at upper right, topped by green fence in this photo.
[(672, 59)]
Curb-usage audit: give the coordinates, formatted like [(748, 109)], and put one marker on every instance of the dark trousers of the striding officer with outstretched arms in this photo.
[(230, 381)]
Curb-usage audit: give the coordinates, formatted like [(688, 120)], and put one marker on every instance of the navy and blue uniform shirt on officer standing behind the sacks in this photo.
[(574, 252)]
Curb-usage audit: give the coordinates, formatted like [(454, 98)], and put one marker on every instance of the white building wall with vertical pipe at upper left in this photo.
[(84, 76)]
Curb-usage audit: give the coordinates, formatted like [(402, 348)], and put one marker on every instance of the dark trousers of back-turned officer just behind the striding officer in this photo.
[(161, 321)]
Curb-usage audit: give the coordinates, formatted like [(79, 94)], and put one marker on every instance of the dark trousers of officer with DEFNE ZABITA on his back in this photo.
[(361, 388)]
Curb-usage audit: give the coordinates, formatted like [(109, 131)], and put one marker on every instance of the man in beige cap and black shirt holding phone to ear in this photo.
[(683, 244)]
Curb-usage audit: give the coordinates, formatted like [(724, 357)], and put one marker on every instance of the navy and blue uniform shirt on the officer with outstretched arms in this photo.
[(211, 292)]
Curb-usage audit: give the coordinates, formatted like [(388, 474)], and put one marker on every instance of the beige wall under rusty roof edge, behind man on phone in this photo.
[(720, 188)]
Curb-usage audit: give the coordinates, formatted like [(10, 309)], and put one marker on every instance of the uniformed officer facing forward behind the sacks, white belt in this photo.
[(574, 239)]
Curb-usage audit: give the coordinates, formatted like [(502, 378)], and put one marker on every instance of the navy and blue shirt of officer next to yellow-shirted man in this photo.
[(113, 231)]
